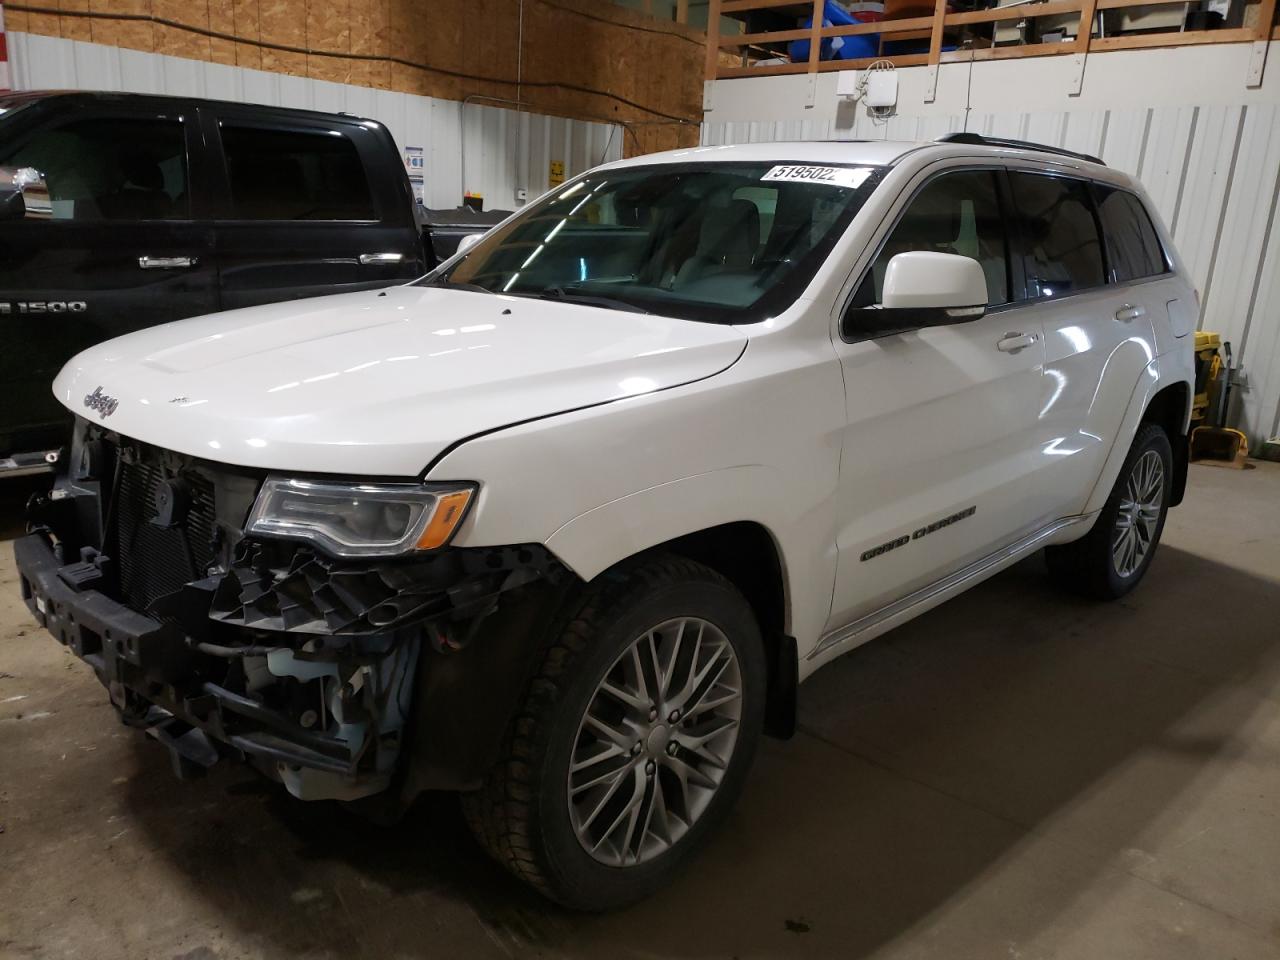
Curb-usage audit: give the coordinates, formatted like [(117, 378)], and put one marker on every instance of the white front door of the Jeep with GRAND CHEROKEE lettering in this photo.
[(939, 455)]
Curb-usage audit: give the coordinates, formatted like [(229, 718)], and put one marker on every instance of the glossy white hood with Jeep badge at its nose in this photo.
[(380, 382)]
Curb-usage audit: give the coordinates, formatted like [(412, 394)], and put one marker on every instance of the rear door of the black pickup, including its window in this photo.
[(308, 207)]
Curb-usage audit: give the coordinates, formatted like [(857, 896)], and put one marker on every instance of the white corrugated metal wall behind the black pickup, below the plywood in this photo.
[(502, 150)]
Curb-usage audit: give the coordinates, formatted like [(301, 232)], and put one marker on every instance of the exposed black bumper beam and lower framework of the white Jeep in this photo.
[(332, 732)]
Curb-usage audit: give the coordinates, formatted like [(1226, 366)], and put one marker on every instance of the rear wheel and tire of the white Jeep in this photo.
[(1114, 556)]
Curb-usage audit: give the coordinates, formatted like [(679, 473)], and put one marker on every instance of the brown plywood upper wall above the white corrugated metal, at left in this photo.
[(579, 58)]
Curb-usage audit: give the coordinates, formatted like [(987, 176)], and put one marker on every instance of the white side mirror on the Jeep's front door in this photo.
[(922, 289)]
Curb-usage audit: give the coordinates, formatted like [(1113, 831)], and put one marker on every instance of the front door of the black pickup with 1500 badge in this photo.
[(121, 246)]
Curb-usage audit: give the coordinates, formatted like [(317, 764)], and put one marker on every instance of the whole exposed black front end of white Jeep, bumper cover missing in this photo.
[(324, 674)]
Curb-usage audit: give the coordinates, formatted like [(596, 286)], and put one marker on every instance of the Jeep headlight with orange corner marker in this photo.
[(362, 520)]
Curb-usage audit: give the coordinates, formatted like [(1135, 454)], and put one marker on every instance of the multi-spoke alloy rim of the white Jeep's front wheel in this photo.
[(656, 742)]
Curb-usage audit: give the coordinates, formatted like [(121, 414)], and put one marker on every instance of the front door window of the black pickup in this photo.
[(111, 168)]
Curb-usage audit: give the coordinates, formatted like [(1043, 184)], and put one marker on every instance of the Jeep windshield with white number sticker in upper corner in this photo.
[(732, 243)]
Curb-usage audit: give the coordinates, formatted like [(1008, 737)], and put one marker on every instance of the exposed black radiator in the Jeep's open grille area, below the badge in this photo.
[(159, 551)]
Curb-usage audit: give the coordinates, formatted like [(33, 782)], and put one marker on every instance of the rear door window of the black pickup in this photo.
[(295, 176)]
